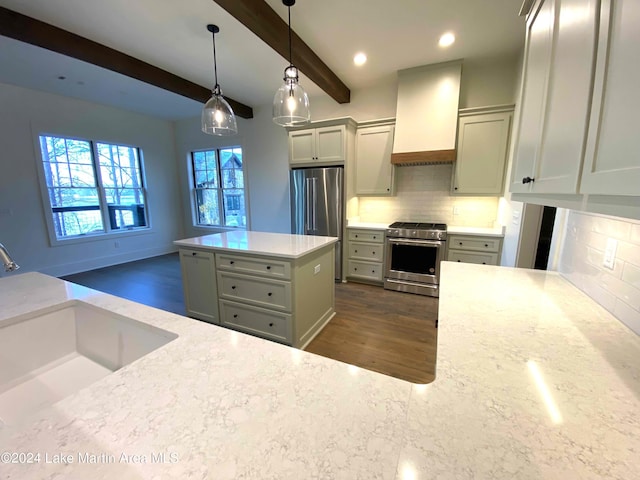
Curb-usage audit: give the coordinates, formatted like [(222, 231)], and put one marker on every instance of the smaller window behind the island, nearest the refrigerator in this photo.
[(218, 183)]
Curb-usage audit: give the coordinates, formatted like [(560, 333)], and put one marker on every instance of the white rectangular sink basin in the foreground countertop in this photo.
[(46, 356)]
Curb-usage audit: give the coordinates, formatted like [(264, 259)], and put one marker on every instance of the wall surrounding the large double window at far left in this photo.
[(24, 114)]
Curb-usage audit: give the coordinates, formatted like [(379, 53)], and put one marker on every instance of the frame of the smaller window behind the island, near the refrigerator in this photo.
[(220, 189)]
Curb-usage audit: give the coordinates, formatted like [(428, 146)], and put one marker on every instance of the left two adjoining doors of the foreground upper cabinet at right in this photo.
[(557, 80)]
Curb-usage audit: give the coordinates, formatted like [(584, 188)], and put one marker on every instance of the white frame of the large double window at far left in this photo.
[(108, 231)]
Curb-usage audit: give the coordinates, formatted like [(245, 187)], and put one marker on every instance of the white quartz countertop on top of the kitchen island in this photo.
[(261, 243)]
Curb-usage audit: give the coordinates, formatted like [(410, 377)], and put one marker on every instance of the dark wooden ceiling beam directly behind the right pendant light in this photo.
[(263, 21)]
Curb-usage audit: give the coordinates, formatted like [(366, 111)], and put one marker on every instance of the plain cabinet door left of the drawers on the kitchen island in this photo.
[(199, 285)]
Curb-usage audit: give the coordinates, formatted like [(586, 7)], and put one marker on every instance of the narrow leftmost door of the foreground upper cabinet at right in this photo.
[(535, 74)]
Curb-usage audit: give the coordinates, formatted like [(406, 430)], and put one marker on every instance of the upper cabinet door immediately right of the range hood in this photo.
[(482, 154)]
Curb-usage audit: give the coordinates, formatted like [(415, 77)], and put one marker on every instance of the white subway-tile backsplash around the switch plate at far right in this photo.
[(581, 258)]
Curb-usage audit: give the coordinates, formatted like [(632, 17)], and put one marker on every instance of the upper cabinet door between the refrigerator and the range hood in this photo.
[(374, 171)]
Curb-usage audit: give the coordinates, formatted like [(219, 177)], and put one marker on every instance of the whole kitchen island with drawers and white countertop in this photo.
[(273, 285)]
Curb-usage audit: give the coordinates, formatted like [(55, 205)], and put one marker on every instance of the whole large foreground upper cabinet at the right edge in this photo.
[(577, 132)]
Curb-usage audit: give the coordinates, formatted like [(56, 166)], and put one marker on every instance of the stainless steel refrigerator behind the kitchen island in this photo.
[(317, 198)]
